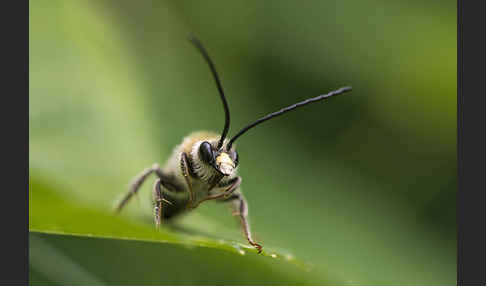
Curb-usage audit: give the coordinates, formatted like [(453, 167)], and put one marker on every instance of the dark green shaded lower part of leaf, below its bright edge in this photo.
[(89, 261)]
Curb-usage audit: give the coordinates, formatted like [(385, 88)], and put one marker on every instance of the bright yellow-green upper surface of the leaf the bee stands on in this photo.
[(50, 213)]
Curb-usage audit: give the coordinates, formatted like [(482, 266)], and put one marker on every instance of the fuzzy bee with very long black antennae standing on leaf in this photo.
[(204, 166)]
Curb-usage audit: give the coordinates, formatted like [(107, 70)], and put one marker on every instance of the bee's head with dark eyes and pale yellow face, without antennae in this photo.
[(223, 161)]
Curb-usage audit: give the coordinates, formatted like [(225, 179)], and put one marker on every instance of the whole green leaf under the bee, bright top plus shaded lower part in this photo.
[(210, 260)]
